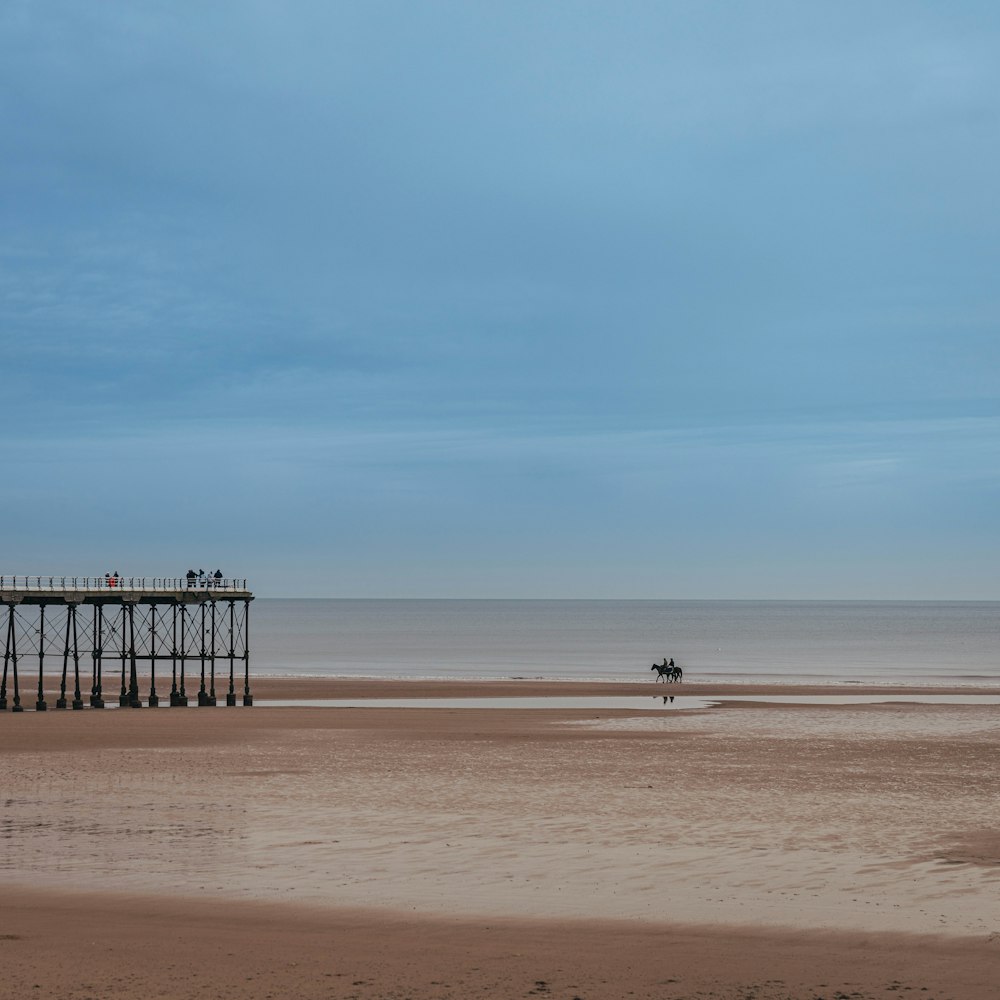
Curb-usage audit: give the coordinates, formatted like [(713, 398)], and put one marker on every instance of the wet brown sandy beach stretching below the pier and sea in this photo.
[(753, 849)]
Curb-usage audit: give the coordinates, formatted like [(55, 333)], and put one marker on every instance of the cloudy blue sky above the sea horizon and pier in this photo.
[(522, 299)]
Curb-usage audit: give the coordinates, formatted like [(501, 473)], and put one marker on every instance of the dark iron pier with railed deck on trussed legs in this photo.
[(97, 628)]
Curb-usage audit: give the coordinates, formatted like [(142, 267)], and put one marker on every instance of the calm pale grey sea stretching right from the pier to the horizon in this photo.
[(798, 641)]
